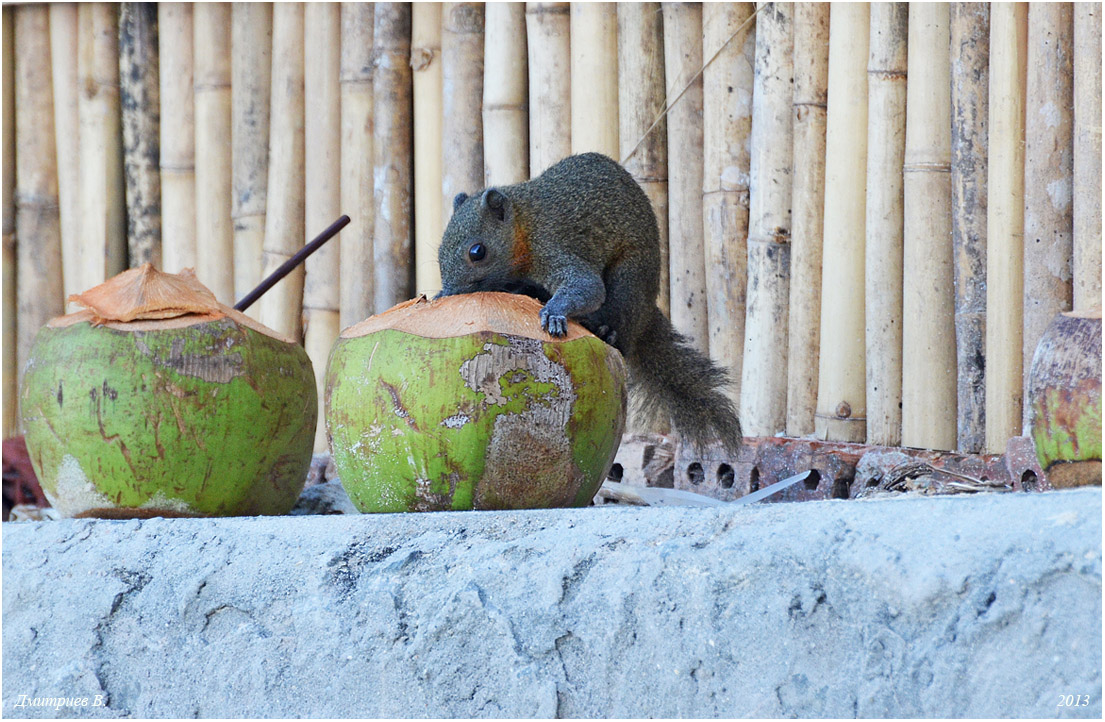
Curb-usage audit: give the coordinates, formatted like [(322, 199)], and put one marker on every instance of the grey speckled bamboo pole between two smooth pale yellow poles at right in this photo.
[(971, 61)]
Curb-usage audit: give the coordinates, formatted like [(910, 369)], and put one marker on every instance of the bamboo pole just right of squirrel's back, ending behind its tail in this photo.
[(687, 263)]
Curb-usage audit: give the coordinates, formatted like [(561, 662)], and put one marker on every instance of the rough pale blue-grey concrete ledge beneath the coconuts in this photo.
[(981, 606)]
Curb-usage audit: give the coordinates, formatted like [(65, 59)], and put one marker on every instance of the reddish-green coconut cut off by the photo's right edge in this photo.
[(1065, 400)]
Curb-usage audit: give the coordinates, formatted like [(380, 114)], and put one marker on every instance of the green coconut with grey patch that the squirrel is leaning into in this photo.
[(465, 403)]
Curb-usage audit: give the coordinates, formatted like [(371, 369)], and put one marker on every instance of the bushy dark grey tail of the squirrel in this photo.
[(669, 378)]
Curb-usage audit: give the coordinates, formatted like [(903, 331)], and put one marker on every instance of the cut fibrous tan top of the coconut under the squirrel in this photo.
[(460, 316)]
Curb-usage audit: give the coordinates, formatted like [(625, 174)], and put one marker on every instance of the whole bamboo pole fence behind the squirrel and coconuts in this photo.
[(864, 276)]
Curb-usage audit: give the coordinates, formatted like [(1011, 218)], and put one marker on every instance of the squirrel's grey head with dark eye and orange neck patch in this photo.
[(482, 249)]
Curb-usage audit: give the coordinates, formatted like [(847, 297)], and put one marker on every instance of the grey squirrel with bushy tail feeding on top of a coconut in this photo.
[(583, 239)]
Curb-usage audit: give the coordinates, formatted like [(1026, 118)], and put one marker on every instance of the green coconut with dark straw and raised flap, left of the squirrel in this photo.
[(157, 401)]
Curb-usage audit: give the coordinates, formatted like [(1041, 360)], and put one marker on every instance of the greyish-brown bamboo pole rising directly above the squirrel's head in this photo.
[(462, 62)]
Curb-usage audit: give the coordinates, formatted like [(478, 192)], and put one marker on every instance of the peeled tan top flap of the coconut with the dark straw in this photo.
[(145, 299)]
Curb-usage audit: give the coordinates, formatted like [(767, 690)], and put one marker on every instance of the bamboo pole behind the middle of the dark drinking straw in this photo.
[(285, 204)]
